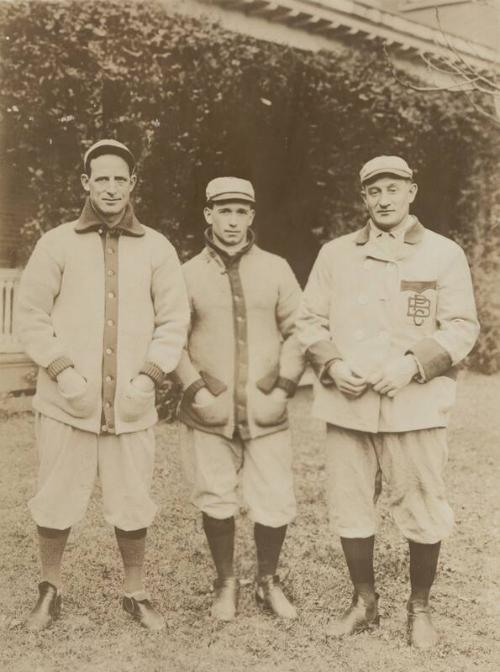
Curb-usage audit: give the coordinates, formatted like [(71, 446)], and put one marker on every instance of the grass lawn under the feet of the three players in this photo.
[(94, 635)]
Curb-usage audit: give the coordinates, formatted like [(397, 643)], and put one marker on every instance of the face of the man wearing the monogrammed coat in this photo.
[(388, 200)]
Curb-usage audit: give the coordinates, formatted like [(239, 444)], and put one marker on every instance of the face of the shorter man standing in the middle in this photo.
[(230, 221)]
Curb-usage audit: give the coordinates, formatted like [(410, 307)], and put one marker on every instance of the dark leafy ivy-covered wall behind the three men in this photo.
[(194, 101)]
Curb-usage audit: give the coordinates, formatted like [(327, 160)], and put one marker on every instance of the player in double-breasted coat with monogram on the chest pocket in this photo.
[(387, 313)]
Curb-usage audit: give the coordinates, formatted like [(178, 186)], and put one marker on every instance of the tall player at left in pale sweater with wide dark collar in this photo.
[(103, 311)]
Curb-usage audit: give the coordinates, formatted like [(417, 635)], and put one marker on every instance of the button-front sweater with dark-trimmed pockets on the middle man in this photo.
[(242, 340)]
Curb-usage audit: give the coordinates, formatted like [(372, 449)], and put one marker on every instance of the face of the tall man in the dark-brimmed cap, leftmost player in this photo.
[(109, 184)]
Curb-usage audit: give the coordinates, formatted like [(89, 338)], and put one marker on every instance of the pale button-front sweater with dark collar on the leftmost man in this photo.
[(111, 302)]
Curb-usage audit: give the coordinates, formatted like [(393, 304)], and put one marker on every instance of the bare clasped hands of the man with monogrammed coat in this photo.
[(388, 380)]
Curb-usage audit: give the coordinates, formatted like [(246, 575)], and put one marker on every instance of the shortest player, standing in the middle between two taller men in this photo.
[(241, 363)]
